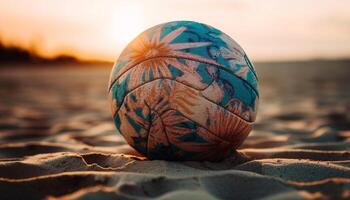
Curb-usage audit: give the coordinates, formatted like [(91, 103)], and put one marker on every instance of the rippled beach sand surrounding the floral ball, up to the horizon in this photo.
[(58, 141)]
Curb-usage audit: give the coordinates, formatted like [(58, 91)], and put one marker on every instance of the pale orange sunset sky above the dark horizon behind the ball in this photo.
[(266, 29)]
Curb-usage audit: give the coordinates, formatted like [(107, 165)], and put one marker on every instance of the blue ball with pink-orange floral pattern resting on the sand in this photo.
[(184, 91)]
